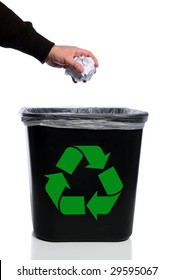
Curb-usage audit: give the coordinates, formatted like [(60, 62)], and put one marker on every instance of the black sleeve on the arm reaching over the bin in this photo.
[(20, 35)]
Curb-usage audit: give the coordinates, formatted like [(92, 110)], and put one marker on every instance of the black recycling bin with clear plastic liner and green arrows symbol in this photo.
[(83, 171)]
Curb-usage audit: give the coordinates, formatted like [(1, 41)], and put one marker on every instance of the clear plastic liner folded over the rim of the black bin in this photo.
[(88, 118)]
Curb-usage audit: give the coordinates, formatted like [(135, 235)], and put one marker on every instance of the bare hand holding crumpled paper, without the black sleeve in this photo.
[(63, 57)]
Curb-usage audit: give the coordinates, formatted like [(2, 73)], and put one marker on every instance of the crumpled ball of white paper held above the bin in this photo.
[(86, 75)]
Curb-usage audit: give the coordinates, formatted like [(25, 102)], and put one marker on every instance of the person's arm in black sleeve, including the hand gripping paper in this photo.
[(20, 35)]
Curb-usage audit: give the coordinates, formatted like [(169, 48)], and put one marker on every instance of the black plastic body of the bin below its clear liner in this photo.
[(48, 147)]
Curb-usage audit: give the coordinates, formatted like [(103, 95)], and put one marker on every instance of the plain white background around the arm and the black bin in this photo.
[(133, 41)]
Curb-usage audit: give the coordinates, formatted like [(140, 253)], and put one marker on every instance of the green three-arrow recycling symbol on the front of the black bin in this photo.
[(75, 205)]
